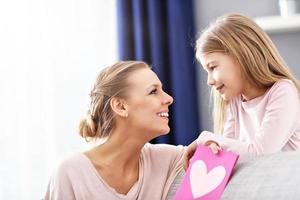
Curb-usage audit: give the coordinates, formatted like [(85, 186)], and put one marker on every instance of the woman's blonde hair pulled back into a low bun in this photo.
[(111, 82)]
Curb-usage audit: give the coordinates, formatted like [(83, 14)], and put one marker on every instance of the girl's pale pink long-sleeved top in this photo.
[(264, 125)]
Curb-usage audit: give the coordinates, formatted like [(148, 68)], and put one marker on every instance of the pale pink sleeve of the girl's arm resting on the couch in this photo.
[(278, 125)]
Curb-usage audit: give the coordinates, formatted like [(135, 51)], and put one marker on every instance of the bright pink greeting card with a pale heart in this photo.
[(207, 175)]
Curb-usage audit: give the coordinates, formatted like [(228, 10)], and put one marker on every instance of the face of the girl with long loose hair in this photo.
[(223, 74)]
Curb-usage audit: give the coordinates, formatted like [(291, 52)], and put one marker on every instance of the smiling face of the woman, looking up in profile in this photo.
[(148, 105)]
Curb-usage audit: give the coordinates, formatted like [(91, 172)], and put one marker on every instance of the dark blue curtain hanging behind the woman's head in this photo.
[(161, 33)]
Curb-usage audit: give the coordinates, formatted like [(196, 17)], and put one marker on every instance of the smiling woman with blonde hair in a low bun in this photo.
[(128, 108)]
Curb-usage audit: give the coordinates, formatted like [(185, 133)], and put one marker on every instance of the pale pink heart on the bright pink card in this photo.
[(203, 182)]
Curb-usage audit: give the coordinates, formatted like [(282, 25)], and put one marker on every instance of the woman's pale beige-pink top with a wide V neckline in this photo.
[(77, 178)]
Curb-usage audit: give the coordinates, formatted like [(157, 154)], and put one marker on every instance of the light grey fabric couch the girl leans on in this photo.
[(269, 177)]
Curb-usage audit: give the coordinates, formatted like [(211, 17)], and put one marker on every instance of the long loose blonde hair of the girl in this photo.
[(260, 61)]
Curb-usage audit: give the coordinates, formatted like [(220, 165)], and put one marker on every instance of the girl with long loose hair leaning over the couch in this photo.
[(256, 97)]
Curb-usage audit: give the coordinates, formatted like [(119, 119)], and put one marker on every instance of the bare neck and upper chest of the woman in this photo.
[(117, 161)]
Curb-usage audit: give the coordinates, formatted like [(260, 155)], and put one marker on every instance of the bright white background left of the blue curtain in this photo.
[(50, 53)]
